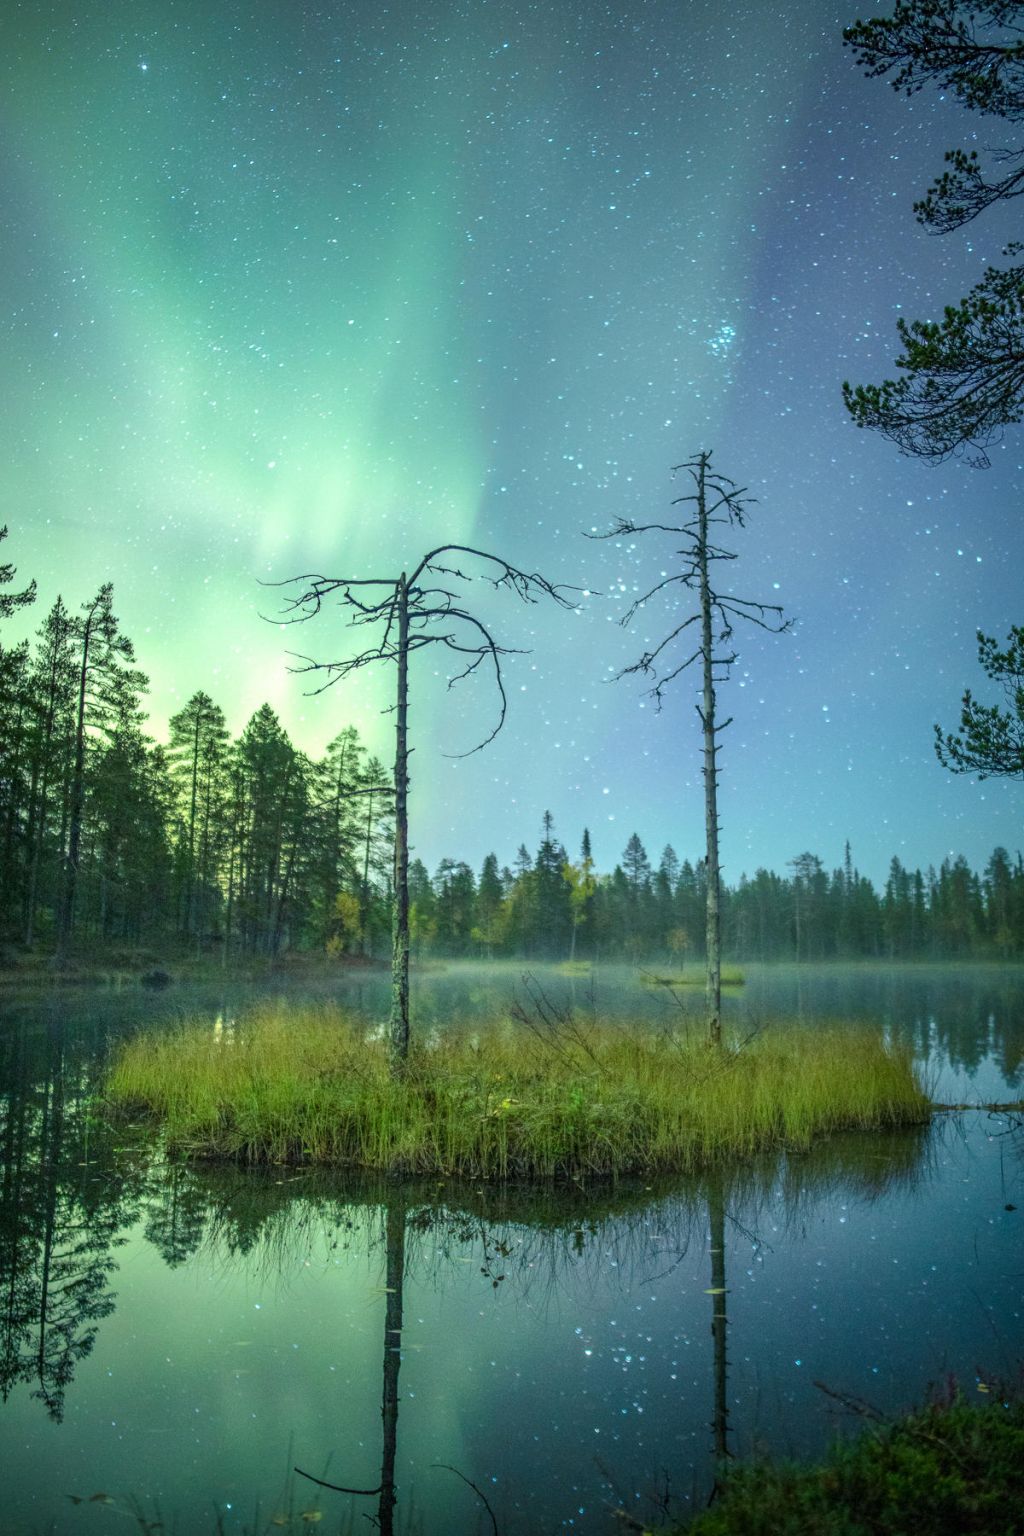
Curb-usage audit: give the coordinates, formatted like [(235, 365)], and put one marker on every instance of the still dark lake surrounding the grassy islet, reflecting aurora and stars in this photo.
[(174, 1342)]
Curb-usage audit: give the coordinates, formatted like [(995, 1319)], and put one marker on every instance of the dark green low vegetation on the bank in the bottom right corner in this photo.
[(951, 1469)]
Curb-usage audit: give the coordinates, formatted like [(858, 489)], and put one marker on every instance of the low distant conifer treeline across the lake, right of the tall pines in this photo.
[(549, 905)]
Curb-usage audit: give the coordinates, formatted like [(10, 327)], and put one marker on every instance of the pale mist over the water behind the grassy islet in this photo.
[(965, 1024)]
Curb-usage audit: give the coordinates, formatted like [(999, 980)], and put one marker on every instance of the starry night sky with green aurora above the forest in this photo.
[(315, 288)]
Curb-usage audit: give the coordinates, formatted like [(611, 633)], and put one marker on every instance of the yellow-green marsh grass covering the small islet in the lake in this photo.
[(306, 1085)]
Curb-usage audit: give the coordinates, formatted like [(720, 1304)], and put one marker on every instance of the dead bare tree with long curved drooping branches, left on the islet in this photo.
[(412, 612)]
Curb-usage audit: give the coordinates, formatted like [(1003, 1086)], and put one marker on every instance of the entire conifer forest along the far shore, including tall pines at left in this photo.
[(249, 847)]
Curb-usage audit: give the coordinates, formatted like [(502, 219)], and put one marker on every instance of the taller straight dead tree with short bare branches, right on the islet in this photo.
[(718, 503)]
